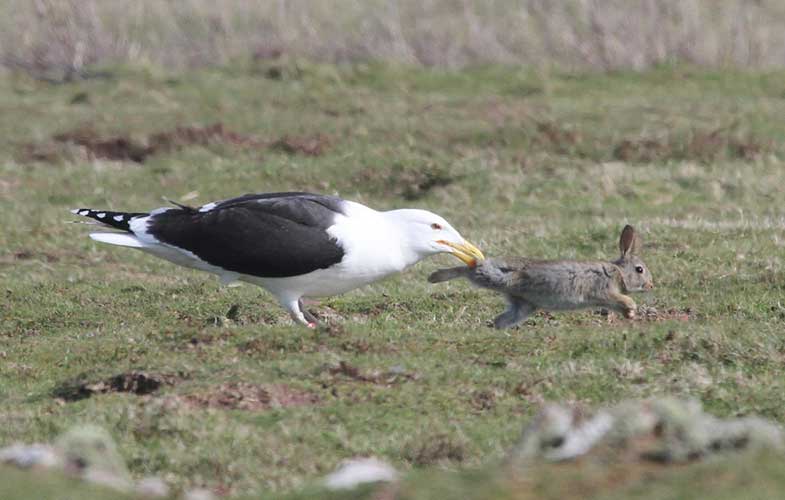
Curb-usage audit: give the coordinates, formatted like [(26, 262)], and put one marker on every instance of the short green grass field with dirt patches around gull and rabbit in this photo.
[(544, 165)]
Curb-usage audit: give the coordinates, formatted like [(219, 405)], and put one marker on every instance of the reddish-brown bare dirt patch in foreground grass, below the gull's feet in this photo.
[(251, 397)]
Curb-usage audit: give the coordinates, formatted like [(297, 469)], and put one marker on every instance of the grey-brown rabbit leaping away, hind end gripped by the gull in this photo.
[(532, 284)]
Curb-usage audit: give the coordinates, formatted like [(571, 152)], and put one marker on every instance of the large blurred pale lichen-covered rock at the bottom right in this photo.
[(667, 430)]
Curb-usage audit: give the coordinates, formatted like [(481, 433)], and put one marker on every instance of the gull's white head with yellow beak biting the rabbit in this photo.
[(427, 234)]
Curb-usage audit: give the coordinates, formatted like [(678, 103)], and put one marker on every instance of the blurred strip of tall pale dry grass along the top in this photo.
[(57, 38)]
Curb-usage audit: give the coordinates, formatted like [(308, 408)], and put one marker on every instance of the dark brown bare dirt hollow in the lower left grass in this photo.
[(134, 382)]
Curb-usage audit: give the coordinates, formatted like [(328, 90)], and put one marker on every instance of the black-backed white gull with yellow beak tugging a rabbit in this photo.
[(296, 245)]
